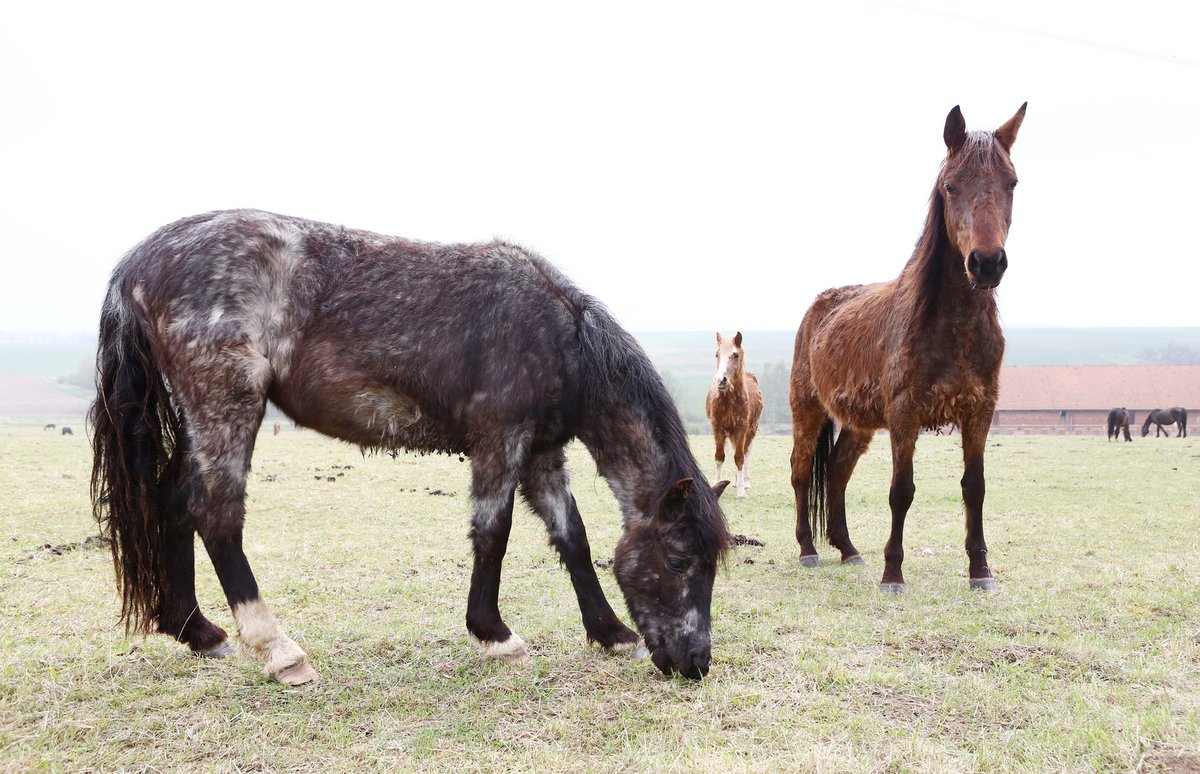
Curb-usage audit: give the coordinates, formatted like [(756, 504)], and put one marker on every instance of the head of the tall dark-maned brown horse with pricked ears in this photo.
[(976, 187)]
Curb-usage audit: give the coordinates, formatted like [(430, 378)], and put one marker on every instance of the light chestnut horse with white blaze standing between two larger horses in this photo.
[(734, 407)]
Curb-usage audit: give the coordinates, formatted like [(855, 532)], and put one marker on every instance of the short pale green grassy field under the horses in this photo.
[(1088, 659)]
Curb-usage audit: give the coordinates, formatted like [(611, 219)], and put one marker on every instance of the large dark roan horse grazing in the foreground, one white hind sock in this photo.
[(485, 351)]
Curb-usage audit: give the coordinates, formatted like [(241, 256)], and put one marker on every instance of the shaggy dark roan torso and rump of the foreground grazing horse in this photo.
[(373, 339)]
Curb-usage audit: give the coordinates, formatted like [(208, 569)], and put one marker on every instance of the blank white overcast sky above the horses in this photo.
[(695, 166)]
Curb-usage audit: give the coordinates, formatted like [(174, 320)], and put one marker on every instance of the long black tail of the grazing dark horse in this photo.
[(135, 433)]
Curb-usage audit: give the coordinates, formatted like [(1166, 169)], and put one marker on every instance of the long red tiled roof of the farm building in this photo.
[(1031, 388)]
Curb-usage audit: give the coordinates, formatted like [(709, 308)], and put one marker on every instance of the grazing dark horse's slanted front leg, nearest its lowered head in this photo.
[(547, 488)]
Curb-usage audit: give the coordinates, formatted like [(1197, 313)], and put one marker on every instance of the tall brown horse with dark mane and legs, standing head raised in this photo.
[(921, 351)]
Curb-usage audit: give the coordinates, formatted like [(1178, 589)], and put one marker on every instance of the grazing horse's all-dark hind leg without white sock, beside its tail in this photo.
[(179, 613)]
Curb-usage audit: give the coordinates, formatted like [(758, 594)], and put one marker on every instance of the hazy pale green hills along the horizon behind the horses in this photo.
[(686, 361)]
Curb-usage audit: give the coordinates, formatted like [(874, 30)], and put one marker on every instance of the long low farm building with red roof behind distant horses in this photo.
[(1076, 400)]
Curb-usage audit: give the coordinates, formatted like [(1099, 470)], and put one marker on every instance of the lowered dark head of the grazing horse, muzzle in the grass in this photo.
[(665, 566)]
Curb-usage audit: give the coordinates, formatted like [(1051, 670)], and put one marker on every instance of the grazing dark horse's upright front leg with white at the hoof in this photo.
[(493, 493)]
